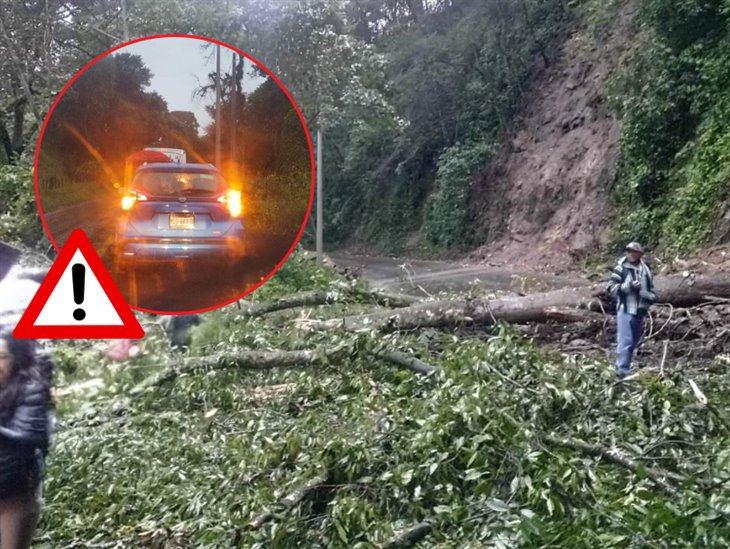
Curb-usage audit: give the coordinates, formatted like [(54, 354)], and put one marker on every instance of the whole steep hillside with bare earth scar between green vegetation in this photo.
[(556, 134)]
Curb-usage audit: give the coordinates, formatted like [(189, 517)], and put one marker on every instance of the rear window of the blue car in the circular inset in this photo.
[(165, 183)]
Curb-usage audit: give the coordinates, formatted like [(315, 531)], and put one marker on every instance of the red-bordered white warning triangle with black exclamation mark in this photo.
[(78, 299)]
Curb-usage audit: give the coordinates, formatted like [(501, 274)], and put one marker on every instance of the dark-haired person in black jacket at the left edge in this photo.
[(25, 431)]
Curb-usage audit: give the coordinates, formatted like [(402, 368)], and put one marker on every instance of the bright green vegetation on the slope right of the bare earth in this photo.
[(674, 103)]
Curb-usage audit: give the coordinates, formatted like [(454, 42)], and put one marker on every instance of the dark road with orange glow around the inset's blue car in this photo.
[(172, 287)]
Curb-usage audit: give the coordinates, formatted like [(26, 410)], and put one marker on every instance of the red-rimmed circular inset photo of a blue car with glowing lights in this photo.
[(186, 163)]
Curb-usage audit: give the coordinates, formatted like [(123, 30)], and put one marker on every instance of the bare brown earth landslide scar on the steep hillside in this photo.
[(542, 202)]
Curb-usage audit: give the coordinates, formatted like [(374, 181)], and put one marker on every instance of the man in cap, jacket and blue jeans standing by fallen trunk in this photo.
[(632, 286)]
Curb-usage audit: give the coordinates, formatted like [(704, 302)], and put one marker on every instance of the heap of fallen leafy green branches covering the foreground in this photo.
[(389, 434)]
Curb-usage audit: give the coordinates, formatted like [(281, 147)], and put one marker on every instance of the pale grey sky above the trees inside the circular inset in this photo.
[(180, 65)]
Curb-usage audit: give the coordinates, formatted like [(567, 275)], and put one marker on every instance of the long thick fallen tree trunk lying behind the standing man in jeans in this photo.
[(678, 290)]
